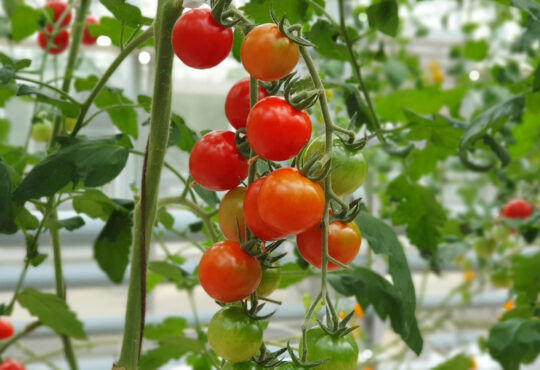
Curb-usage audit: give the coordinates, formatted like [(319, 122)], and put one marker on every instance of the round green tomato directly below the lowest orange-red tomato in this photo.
[(233, 335)]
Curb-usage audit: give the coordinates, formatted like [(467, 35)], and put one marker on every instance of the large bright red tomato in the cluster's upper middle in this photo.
[(277, 131)]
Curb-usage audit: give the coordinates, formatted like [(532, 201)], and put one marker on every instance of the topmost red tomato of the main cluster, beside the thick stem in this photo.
[(199, 41)]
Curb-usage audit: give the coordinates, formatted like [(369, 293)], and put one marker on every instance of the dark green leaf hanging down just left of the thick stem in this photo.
[(111, 248)]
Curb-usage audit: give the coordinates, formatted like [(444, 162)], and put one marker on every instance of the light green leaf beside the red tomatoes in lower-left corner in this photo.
[(52, 312)]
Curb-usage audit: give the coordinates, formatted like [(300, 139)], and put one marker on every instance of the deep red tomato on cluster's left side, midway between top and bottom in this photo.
[(215, 163)]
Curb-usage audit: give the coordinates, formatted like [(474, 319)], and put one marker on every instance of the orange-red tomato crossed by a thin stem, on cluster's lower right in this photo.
[(344, 241)]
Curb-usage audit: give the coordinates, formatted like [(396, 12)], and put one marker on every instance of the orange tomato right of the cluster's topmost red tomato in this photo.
[(268, 55)]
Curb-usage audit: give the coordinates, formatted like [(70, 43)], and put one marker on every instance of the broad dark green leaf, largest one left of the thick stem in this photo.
[(94, 162)]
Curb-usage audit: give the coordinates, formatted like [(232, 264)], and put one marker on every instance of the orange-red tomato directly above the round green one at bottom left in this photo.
[(227, 273)]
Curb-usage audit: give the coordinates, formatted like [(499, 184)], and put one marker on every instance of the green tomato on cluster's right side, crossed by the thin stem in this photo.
[(351, 168)]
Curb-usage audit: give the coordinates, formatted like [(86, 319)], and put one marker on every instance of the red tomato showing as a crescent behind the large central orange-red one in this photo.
[(252, 217)]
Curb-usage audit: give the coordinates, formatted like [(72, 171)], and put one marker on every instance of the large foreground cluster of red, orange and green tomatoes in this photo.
[(270, 208)]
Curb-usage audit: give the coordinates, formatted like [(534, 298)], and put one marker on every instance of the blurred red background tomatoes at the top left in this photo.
[(61, 20)]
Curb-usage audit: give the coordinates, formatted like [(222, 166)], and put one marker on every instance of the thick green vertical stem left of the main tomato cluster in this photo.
[(167, 13)]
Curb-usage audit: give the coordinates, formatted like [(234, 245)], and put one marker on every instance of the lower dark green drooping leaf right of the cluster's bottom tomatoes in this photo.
[(370, 288)]
